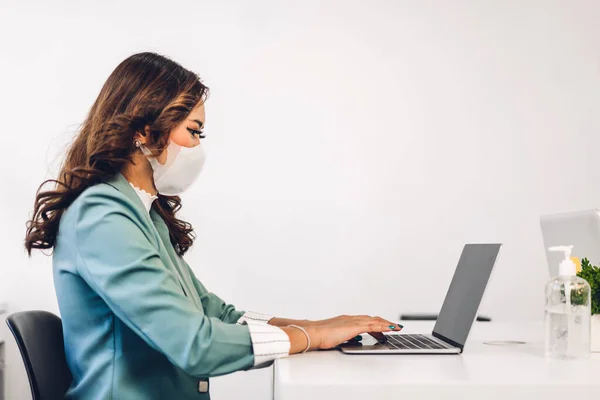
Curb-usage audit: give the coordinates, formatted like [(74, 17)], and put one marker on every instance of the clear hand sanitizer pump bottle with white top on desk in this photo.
[(567, 311)]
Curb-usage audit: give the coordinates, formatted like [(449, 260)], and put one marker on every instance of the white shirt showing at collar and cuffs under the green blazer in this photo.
[(268, 342)]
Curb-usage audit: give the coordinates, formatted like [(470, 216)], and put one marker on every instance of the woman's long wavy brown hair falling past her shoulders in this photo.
[(146, 89)]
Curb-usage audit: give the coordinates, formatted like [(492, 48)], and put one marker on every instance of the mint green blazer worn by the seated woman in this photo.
[(137, 323)]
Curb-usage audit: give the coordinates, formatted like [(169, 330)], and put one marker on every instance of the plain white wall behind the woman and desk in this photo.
[(353, 146)]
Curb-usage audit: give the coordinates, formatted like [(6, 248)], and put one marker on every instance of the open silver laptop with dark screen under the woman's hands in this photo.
[(456, 316)]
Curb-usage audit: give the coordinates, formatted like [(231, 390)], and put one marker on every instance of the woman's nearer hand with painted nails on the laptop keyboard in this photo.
[(328, 333)]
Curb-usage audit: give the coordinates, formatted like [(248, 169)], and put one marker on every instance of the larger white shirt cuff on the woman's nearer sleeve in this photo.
[(268, 342)]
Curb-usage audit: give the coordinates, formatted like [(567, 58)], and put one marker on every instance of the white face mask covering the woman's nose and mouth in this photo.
[(180, 170)]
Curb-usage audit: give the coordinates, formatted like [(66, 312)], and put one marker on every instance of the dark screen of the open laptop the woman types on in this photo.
[(466, 290)]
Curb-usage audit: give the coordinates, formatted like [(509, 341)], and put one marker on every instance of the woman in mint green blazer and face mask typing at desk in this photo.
[(137, 322)]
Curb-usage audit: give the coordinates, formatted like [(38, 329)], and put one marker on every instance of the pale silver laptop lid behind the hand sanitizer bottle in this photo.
[(580, 229)]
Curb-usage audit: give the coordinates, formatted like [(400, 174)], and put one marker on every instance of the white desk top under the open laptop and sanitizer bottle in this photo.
[(481, 372)]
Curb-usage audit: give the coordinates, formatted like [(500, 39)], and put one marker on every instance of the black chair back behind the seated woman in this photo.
[(39, 337)]
